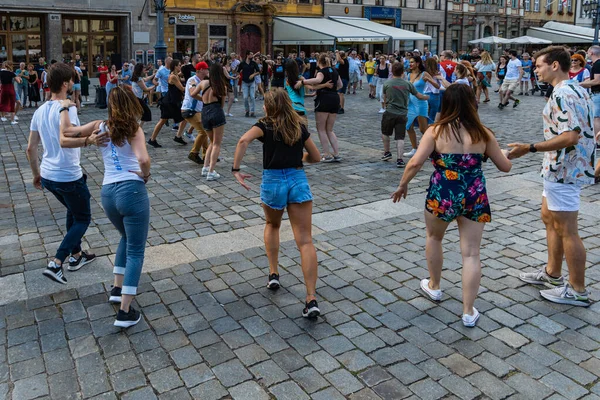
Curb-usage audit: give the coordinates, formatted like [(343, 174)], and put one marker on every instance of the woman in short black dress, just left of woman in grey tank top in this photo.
[(170, 106)]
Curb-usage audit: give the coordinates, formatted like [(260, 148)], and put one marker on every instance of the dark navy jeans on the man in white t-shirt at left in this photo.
[(76, 197)]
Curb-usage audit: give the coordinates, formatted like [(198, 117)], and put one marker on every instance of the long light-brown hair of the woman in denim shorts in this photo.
[(280, 115)]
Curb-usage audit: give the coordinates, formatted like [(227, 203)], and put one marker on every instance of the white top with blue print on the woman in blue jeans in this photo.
[(118, 161)]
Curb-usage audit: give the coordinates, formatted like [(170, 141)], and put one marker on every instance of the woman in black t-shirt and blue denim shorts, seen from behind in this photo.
[(284, 185)]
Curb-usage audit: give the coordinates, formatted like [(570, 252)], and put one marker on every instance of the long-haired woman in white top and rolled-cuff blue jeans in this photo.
[(124, 196)]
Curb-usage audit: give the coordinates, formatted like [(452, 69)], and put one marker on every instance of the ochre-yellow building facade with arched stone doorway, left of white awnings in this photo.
[(228, 25)]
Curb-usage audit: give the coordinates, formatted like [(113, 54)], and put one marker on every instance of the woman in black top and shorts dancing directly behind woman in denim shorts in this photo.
[(327, 104)]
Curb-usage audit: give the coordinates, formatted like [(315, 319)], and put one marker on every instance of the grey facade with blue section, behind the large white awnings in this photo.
[(422, 16)]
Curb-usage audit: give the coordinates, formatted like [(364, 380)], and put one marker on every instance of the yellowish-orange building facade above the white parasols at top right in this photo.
[(538, 12)]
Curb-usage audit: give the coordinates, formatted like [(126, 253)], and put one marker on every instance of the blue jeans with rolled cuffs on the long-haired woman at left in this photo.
[(127, 206)]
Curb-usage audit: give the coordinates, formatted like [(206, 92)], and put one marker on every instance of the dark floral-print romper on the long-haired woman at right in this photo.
[(457, 188)]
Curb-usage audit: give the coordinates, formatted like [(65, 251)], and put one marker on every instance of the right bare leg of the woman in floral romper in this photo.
[(470, 243)]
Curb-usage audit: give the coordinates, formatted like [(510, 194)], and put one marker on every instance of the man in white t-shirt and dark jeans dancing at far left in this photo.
[(60, 171)]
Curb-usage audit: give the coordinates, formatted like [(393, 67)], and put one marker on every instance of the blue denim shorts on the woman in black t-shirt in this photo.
[(281, 187)]
